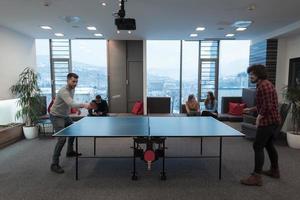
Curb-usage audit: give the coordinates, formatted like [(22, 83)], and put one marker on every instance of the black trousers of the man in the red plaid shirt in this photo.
[(264, 139)]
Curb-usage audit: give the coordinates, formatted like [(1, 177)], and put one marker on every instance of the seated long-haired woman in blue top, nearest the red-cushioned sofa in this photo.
[(211, 105)]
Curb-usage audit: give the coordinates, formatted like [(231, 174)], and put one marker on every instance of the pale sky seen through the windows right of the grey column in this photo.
[(163, 57)]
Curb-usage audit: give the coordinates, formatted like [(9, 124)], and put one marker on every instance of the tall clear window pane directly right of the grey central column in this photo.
[(163, 70)]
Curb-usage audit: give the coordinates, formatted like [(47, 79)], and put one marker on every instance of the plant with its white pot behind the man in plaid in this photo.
[(292, 95)]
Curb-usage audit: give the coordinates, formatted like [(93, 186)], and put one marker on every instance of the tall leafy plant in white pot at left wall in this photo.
[(28, 92)]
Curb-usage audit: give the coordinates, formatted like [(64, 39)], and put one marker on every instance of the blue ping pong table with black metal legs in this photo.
[(151, 131)]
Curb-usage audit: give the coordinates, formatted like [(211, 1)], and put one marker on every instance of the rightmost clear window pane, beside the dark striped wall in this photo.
[(234, 60)]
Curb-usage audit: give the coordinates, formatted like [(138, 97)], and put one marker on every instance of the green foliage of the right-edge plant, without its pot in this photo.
[(292, 95)]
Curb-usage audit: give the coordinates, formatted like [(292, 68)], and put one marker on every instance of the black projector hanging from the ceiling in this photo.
[(123, 23)]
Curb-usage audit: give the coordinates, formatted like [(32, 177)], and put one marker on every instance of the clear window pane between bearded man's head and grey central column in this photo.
[(89, 61)]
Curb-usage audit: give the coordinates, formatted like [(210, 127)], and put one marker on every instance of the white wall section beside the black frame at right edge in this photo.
[(287, 48)]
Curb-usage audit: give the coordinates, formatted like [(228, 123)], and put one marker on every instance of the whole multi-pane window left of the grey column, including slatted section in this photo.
[(89, 61)]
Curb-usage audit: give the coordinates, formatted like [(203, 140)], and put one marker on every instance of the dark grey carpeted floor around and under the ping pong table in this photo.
[(25, 174)]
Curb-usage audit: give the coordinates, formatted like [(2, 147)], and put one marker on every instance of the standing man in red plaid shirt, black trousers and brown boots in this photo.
[(267, 121)]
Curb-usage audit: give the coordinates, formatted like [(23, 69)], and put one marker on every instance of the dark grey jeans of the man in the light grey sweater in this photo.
[(58, 124)]
